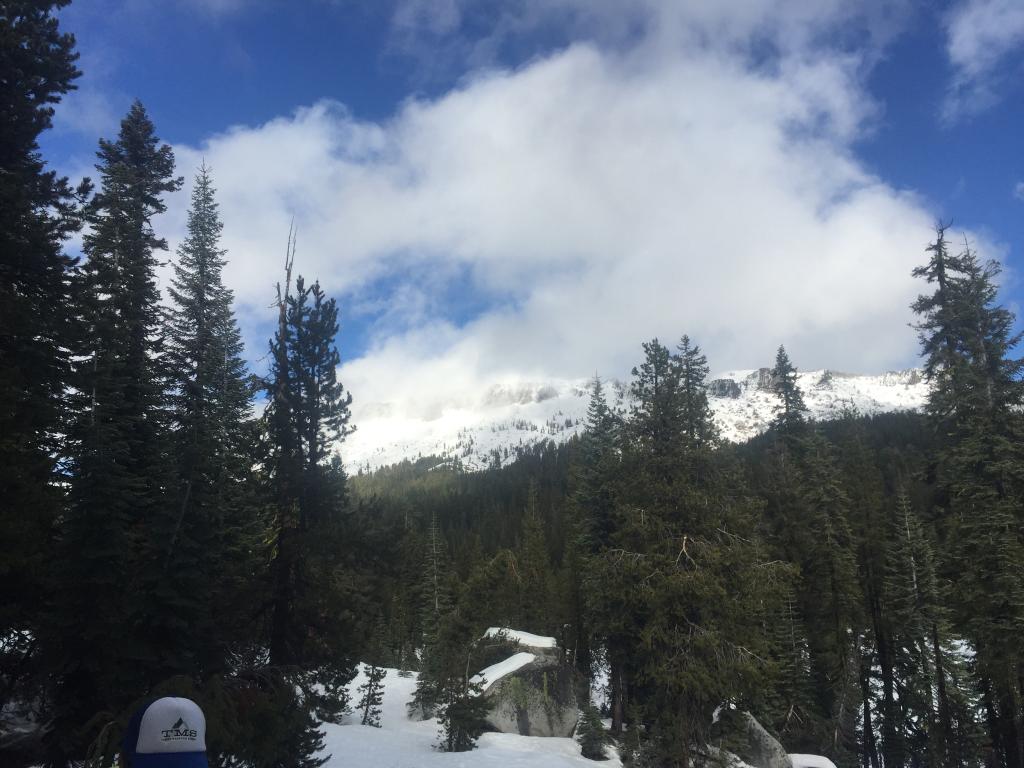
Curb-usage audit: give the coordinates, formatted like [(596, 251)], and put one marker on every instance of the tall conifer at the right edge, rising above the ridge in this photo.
[(967, 340)]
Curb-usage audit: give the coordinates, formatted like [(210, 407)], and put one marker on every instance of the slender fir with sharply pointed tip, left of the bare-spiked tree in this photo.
[(209, 406)]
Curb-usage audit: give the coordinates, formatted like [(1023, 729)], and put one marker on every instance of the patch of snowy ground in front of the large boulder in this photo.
[(402, 743)]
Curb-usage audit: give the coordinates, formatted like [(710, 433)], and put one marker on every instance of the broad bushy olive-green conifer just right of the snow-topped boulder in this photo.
[(676, 550)]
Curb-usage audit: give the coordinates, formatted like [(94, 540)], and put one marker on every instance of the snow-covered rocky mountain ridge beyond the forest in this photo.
[(480, 432)]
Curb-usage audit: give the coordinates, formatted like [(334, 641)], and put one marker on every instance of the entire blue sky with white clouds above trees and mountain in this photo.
[(529, 190)]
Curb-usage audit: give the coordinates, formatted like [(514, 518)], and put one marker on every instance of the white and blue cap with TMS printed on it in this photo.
[(167, 734)]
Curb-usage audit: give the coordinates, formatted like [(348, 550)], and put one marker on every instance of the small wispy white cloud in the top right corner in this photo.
[(982, 35)]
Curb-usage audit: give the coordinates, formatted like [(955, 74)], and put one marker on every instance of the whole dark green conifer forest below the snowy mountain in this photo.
[(176, 520)]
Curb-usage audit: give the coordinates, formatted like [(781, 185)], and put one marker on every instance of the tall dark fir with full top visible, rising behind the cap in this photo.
[(120, 523)]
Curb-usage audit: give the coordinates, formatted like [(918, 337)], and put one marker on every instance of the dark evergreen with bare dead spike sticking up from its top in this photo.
[(308, 414)]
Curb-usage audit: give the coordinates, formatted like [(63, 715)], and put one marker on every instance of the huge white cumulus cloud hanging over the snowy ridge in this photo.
[(591, 199)]
